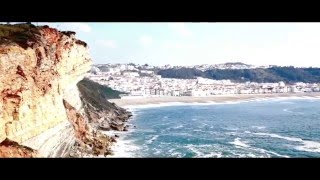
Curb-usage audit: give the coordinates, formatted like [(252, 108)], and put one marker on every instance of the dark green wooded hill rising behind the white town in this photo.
[(274, 74)]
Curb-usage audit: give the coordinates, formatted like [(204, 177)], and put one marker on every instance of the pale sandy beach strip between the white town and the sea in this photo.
[(216, 98)]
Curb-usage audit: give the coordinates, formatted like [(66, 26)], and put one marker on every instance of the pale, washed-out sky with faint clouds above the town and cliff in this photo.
[(295, 44)]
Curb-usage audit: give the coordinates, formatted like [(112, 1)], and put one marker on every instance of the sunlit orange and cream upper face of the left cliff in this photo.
[(36, 74)]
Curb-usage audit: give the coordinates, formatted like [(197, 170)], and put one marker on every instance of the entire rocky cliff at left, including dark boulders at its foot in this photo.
[(39, 71)]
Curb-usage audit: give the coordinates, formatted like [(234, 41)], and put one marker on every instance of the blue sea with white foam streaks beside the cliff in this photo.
[(266, 128)]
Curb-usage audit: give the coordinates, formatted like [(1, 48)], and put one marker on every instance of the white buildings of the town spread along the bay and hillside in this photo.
[(142, 81)]
